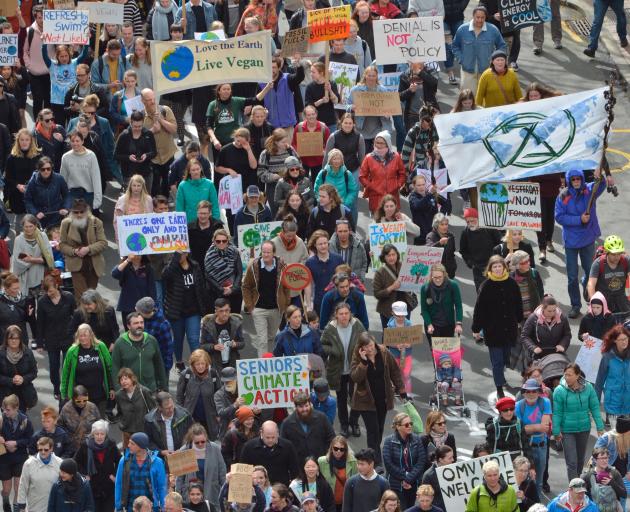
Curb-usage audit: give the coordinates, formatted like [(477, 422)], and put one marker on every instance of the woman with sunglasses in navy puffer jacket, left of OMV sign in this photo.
[(405, 458)]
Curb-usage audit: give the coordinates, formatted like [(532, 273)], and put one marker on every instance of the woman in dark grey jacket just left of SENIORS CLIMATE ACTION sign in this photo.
[(195, 391)]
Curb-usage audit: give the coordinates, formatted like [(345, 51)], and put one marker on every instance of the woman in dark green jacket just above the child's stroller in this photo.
[(441, 304)]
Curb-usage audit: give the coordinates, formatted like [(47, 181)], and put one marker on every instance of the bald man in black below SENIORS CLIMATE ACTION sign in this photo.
[(277, 455)]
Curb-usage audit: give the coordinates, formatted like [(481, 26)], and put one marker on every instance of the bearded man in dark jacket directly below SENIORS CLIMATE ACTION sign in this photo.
[(309, 430)]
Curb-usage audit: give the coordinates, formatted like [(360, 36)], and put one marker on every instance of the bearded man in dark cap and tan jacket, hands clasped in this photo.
[(82, 242)]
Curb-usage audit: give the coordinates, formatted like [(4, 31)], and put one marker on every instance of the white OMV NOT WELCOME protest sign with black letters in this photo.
[(459, 479)]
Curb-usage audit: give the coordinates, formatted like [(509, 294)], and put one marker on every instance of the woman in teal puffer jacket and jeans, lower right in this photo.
[(574, 403)]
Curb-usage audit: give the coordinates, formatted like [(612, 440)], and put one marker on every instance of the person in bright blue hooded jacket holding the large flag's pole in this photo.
[(580, 229)]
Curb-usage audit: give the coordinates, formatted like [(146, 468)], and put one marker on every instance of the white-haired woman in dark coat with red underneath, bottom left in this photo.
[(97, 458)]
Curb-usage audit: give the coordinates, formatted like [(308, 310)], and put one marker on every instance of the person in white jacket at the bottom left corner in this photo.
[(39, 473)]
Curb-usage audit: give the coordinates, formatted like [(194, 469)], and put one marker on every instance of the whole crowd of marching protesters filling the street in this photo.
[(87, 136)]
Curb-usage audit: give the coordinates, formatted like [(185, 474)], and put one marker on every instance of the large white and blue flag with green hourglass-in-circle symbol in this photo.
[(524, 139)]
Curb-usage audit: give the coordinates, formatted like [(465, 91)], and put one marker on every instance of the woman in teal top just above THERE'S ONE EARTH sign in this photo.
[(195, 188)]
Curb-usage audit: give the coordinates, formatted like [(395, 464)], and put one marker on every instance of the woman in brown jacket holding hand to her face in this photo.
[(376, 376)]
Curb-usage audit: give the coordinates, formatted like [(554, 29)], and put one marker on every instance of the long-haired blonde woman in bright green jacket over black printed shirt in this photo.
[(88, 362)]
